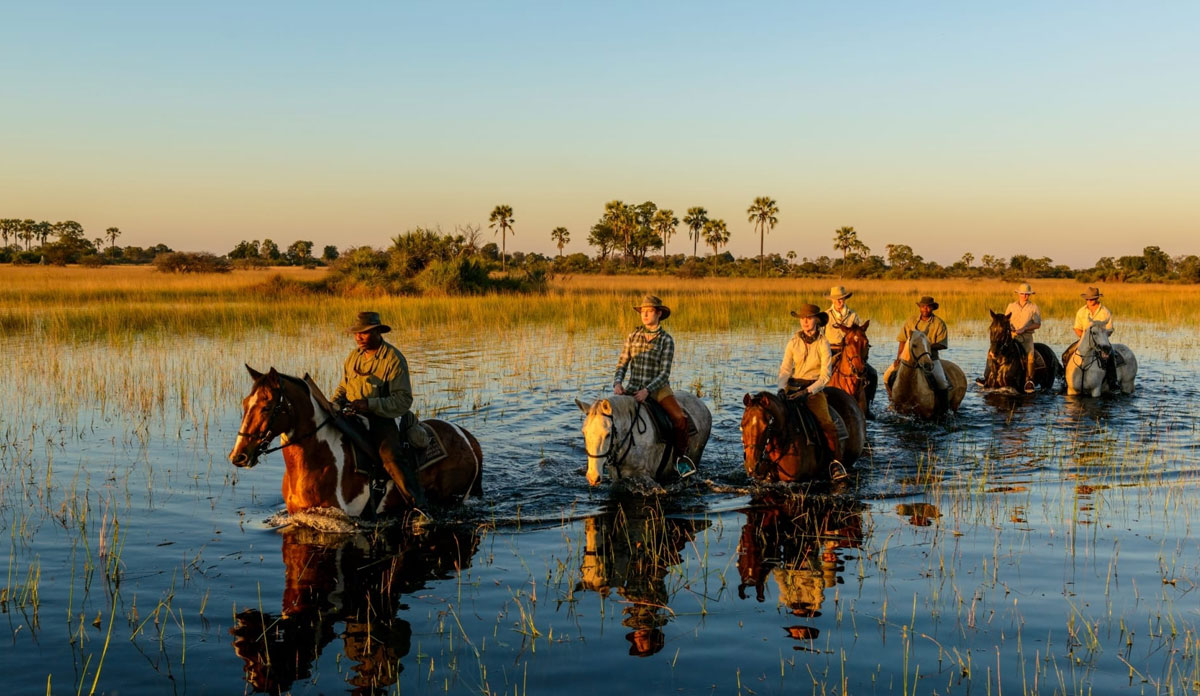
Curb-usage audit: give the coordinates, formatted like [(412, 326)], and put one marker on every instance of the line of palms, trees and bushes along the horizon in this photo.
[(625, 239)]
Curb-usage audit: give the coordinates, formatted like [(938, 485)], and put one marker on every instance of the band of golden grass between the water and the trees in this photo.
[(112, 303)]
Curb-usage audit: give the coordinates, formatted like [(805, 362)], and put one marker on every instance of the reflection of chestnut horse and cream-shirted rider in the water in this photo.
[(795, 539)]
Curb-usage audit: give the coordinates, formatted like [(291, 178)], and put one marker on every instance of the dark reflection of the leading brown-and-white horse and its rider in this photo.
[(345, 580)]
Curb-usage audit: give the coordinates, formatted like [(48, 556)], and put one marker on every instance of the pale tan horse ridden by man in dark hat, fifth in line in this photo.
[(911, 382)]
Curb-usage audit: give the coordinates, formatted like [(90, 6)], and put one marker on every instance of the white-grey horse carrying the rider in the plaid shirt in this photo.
[(621, 434)]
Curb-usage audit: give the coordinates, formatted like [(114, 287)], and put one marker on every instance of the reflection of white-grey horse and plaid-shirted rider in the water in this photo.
[(631, 550)]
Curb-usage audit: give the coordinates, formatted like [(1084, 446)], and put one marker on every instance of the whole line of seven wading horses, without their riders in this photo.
[(623, 440)]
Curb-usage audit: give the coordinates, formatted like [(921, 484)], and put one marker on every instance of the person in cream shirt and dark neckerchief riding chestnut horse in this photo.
[(806, 371)]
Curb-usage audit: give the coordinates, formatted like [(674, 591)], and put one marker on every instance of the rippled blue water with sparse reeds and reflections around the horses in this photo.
[(1036, 544)]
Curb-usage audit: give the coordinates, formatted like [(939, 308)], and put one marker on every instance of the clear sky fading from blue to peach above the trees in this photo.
[(1063, 130)]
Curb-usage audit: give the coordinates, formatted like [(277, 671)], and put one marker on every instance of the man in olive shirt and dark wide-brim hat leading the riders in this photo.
[(376, 385)]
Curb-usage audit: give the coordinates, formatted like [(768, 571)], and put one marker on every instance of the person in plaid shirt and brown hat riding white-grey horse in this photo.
[(647, 356)]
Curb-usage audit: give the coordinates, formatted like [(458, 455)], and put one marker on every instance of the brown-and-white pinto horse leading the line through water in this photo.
[(321, 460)]
